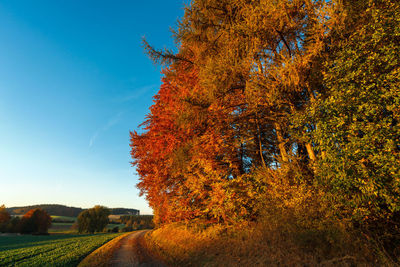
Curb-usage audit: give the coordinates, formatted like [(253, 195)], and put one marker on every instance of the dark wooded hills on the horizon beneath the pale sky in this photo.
[(61, 210)]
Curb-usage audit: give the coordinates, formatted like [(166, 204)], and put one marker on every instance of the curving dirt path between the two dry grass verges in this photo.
[(133, 252)]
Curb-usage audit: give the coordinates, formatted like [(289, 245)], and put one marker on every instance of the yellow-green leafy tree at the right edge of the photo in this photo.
[(358, 119)]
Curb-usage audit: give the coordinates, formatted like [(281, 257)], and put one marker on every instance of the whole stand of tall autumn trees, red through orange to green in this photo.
[(277, 106)]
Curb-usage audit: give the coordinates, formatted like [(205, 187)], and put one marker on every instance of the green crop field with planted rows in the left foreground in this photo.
[(51, 250)]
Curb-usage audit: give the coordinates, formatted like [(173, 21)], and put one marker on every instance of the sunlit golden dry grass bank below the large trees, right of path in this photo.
[(257, 245)]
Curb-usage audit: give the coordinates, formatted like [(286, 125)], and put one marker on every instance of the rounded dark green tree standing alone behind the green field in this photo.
[(93, 220)]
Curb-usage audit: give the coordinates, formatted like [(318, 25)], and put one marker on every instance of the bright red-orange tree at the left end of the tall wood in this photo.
[(154, 150)]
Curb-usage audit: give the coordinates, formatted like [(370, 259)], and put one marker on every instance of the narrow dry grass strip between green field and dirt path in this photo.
[(102, 256)]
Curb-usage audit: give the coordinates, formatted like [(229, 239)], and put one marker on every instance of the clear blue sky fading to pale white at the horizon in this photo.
[(73, 82)]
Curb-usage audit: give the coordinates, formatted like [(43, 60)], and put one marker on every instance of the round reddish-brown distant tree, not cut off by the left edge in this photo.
[(35, 221)]
